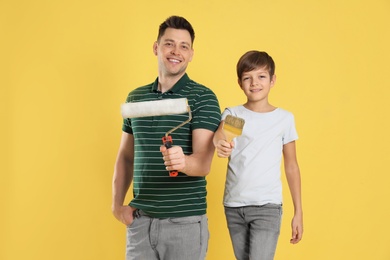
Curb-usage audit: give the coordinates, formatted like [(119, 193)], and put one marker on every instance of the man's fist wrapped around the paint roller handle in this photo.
[(174, 158)]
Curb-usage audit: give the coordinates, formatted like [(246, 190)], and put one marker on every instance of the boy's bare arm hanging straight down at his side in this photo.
[(294, 182)]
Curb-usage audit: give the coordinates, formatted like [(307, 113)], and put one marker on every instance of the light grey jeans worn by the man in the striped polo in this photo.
[(167, 239)]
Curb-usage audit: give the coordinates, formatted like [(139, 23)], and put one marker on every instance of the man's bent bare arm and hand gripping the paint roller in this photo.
[(196, 164)]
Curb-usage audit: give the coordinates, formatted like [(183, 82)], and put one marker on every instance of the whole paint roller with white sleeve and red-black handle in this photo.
[(159, 108)]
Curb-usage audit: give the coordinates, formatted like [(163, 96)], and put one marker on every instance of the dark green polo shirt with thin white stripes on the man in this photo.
[(154, 191)]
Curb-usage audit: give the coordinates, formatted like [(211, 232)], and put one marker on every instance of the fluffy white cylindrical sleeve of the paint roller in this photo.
[(154, 108)]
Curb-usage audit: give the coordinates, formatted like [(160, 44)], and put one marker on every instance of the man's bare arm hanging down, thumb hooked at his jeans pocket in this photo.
[(123, 176)]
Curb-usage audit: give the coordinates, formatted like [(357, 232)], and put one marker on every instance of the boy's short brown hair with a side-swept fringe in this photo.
[(254, 60)]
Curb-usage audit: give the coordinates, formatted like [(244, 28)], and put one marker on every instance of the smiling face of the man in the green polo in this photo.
[(174, 51)]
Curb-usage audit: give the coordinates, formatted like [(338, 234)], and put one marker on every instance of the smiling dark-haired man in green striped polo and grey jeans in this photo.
[(166, 219)]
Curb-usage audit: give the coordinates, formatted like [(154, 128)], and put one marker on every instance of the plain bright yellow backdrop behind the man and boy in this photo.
[(66, 66)]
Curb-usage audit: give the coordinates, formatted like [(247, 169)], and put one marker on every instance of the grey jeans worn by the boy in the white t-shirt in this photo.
[(254, 230)]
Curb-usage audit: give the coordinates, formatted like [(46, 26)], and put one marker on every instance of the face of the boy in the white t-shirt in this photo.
[(256, 84)]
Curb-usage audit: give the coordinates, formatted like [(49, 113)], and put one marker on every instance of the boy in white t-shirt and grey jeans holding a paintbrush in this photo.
[(253, 189)]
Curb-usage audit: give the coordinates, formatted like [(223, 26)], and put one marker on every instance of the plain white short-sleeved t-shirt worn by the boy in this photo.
[(254, 169)]
